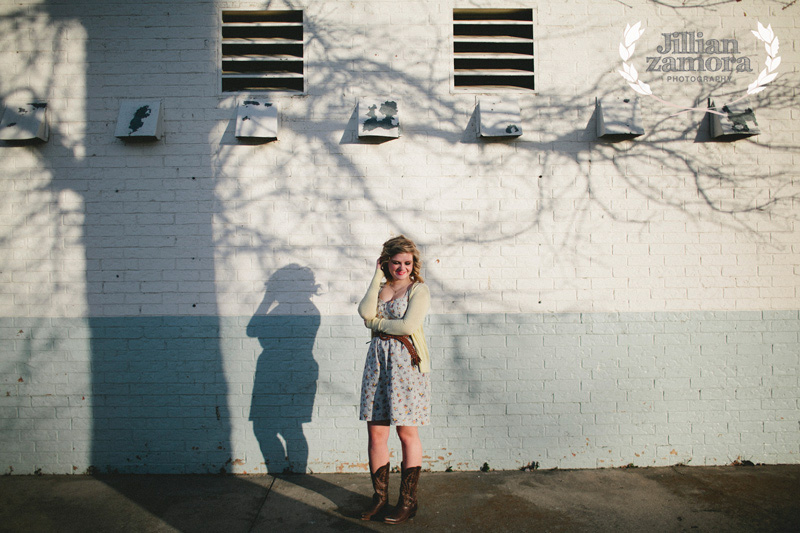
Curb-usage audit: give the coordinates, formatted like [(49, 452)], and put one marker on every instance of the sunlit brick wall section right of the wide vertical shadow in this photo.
[(597, 302)]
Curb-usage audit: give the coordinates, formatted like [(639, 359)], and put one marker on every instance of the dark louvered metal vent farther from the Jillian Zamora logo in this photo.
[(262, 51)]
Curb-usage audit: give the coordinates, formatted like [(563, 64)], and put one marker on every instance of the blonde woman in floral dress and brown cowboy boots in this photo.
[(395, 389)]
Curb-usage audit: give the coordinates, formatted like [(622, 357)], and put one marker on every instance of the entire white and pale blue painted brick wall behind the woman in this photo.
[(594, 303)]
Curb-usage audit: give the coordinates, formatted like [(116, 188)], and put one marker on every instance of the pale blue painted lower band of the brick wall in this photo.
[(580, 390)]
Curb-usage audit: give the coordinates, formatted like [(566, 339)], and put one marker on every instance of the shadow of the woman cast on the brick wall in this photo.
[(286, 325)]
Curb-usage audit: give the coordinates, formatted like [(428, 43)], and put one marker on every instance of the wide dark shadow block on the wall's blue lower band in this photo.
[(160, 396)]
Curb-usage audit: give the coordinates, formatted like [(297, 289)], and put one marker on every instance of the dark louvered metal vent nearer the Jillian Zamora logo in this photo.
[(493, 49)]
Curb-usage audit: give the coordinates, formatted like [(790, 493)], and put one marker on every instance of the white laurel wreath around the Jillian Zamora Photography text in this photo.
[(631, 75)]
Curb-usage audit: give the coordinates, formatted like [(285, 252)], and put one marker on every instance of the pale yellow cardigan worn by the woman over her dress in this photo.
[(419, 301)]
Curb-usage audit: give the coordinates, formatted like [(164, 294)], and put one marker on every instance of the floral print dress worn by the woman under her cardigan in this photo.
[(391, 388)]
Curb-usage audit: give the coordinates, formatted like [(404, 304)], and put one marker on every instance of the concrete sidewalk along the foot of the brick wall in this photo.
[(730, 499)]
